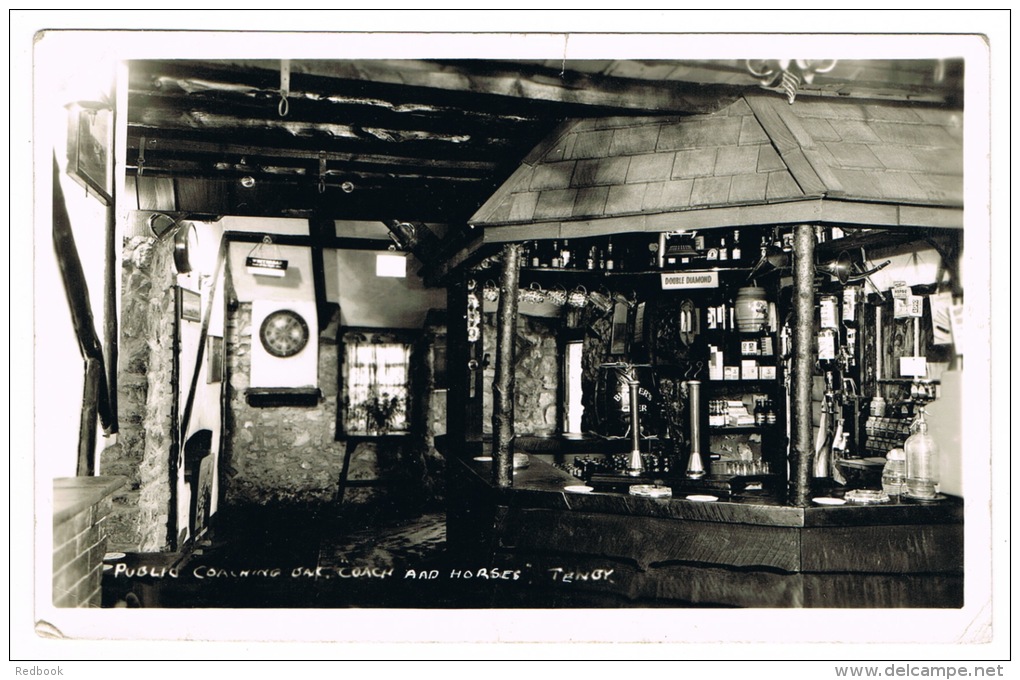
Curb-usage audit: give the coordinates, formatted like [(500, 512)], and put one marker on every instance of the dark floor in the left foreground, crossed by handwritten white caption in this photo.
[(280, 560)]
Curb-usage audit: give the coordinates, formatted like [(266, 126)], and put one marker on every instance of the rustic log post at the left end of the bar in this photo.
[(504, 385)]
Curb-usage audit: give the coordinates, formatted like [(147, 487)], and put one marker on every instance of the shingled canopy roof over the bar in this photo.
[(758, 151)]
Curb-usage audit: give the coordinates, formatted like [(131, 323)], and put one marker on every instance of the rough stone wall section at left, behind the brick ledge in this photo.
[(145, 398)]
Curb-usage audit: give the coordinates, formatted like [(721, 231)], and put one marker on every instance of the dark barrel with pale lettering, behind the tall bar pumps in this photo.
[(613, 400)]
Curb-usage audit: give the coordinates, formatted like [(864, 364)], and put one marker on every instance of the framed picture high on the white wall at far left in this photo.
[(90, 148)]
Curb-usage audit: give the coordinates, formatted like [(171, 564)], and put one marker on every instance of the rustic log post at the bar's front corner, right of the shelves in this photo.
[(804, 361)]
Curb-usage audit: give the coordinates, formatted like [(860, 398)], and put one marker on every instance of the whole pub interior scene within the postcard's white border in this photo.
[(677, 334)]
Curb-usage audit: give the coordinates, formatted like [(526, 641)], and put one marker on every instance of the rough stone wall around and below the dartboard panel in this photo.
[(278, 456)]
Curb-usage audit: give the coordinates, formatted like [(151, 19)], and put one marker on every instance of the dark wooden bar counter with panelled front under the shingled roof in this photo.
[(748, 550)]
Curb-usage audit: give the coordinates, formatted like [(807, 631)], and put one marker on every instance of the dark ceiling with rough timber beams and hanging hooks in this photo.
[(416, 141)]
